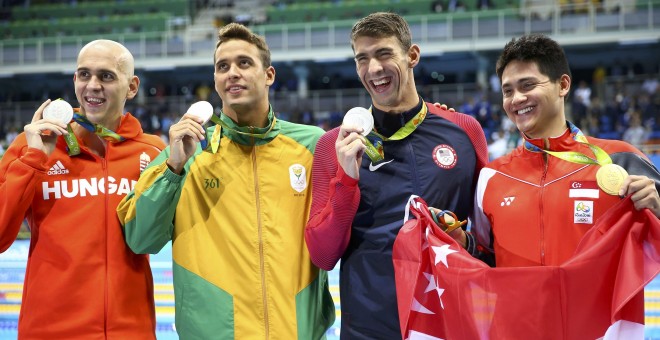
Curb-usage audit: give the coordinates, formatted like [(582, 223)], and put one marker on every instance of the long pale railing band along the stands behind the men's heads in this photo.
[(439, 33)]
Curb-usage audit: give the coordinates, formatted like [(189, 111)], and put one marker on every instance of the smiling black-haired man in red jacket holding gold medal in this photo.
[(533, 206)]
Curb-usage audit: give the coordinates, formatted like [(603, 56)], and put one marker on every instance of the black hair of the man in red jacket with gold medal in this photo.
[(538, 48)]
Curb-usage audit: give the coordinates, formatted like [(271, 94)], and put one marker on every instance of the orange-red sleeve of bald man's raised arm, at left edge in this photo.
[(17, 170)]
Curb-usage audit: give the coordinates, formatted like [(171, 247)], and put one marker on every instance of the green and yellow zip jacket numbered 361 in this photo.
[(236, 218)]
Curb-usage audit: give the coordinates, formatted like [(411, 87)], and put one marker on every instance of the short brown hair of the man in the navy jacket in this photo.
[(383, 25)]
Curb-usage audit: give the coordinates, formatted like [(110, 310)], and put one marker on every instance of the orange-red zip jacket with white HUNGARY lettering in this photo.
[(82, 281)]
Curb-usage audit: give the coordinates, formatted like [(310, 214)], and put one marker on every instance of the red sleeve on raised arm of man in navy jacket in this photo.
[(335, 199)]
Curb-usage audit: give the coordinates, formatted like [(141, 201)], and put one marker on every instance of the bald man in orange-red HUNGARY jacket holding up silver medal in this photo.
[(82, 281)]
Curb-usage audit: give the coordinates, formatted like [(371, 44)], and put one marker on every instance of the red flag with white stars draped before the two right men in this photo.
[(444, 293)]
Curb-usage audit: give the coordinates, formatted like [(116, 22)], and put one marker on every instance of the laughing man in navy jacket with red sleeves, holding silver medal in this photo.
[(359, 202)]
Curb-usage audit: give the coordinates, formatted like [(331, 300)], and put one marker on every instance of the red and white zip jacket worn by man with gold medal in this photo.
[(531, 213)]
